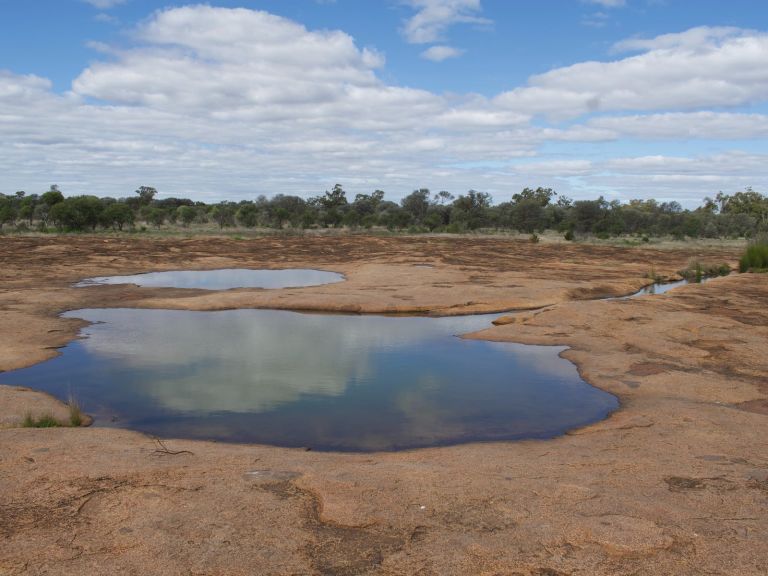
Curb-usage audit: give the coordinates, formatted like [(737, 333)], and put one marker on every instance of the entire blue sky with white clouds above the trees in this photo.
[(226, 100)]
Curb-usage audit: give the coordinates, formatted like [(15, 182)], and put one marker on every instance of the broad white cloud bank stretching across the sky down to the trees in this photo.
[(216, 103)]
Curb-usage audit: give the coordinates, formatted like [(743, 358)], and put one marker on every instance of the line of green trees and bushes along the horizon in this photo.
[(741, 214)]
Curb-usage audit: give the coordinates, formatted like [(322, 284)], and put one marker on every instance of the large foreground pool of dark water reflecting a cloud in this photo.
[(329, 382)]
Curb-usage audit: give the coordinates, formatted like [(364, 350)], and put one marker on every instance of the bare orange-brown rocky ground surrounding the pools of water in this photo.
[(675, 482)]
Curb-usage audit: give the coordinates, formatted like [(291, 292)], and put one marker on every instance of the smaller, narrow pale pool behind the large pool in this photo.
[(223, 279)]
